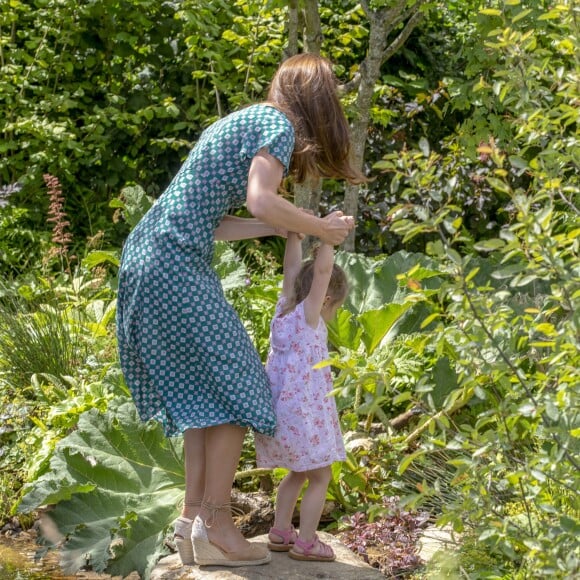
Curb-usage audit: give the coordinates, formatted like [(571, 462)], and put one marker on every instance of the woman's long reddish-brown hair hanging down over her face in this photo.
[(304, 88)]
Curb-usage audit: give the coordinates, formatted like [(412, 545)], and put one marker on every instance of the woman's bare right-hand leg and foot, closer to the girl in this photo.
[(223, 448)]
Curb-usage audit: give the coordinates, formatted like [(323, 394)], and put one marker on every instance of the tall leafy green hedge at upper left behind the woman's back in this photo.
[(102, 94)]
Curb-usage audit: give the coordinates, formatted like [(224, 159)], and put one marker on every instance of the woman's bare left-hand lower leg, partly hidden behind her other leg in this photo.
[(194, 448)]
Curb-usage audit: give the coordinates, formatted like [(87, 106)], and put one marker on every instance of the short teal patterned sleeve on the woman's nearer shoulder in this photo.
[(270, 130)]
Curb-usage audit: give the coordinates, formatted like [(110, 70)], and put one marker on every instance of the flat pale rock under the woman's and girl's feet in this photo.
[(346, 566)]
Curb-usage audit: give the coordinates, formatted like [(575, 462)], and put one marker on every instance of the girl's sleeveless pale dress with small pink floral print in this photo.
[(308, 434)]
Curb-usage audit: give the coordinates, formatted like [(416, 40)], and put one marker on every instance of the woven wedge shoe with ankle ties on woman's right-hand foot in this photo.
[(208, 554)]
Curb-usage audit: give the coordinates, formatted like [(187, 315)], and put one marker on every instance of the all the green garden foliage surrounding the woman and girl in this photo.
[(470, 332)]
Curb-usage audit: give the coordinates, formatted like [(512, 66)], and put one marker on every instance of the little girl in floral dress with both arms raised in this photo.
[(308, 438)]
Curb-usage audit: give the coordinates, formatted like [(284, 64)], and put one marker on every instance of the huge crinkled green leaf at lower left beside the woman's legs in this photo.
[(116, 484)]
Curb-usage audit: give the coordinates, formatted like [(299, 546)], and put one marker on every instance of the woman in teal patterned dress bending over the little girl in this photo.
[(184, 352)]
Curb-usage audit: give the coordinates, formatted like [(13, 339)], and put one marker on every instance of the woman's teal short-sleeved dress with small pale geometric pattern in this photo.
[(184, 352)]
